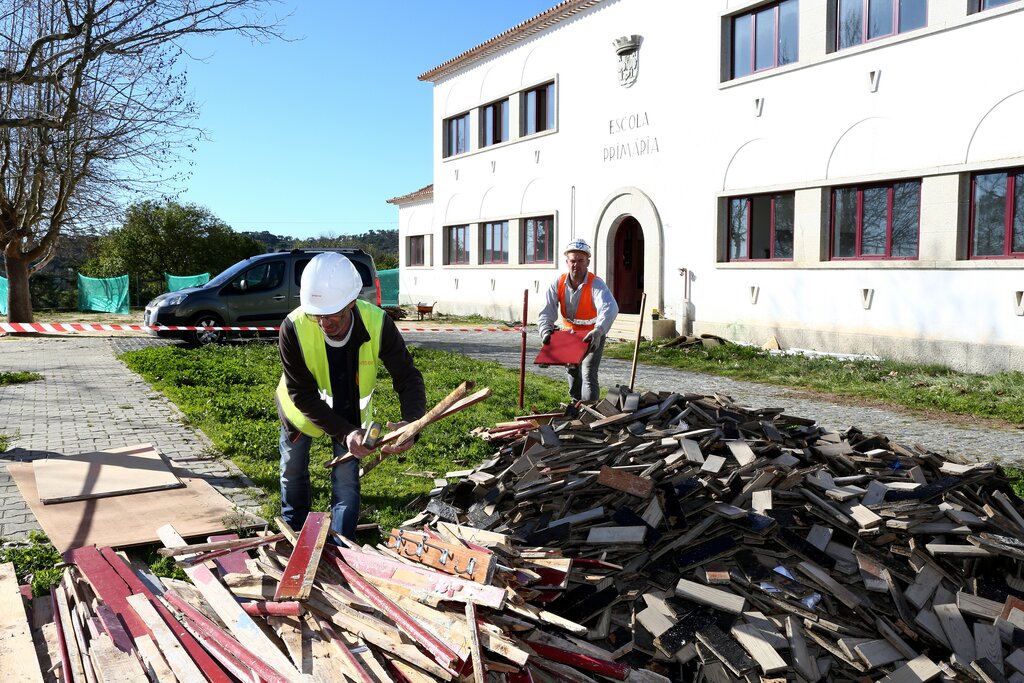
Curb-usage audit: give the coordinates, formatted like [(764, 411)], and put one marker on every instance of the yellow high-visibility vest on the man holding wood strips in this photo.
[(315, 354)]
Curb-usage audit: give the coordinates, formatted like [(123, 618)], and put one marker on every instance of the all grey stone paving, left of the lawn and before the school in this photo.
[(91, 402)]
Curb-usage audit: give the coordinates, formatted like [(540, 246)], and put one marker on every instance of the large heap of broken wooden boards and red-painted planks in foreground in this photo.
[(646, 538)]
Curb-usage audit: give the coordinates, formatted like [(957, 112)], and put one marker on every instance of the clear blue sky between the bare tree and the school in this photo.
[(313, 137)]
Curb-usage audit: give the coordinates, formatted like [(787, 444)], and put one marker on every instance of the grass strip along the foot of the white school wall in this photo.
[(999, 397)]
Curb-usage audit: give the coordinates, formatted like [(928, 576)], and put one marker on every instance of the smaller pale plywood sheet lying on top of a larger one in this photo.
[(114, 473)]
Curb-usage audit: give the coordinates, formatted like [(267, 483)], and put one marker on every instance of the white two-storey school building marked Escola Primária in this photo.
[(845, 176)]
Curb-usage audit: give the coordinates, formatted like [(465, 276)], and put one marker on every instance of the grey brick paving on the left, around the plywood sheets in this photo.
[(90, 401)]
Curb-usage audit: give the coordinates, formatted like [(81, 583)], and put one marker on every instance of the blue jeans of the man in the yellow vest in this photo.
[(295, 492)]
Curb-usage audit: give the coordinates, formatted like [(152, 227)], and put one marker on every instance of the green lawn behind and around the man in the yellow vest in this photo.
[(228, 392)]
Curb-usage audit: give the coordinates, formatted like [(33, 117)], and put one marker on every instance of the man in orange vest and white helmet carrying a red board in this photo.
[(583, 301)]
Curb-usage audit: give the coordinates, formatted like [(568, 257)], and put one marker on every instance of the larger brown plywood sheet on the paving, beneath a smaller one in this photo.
[(196, 509)]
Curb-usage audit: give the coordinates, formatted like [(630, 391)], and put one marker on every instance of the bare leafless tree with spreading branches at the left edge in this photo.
[(94, 109)]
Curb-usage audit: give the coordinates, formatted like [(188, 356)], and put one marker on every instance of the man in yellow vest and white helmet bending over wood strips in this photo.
[(329, 352)]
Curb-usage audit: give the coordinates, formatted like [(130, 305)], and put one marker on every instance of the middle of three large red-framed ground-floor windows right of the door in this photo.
[(876, 222)]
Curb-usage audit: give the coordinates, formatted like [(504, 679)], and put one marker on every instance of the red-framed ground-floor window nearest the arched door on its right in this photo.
[(761, 228)]
